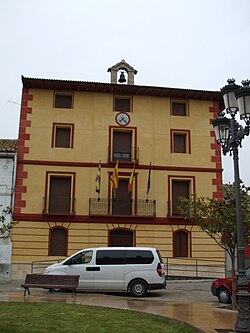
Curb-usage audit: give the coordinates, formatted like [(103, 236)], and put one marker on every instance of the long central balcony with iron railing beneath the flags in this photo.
[(106, 207)]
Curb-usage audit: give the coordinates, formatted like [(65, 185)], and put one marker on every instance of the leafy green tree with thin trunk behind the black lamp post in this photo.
[(218, 219)]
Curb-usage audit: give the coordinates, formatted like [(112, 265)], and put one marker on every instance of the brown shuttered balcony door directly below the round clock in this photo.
[(122, 144)]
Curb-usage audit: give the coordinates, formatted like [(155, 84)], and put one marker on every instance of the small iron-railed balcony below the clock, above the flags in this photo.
[(123, 154)]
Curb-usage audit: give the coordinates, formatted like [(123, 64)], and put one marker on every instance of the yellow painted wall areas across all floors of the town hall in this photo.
[(92, 115)]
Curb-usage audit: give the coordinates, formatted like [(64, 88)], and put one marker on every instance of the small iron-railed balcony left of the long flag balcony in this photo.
[(61, 205)]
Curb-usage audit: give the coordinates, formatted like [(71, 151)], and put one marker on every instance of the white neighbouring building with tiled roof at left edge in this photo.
[(7, 180)]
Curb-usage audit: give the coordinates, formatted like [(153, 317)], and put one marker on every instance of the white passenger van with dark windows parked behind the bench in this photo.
[(133, 269)]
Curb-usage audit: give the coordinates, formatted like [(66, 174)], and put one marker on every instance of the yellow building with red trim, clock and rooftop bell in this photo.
[(104, 164)]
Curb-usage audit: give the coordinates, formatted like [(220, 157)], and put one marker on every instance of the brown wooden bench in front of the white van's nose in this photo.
[(47, 281)]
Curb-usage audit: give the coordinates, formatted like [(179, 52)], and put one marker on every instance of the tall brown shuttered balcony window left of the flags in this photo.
[(60, 197)]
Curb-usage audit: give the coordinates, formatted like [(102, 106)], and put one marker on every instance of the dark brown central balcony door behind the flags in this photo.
[(121, 203)]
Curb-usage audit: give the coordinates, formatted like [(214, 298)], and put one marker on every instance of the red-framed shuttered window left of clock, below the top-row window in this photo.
[(62, 136)]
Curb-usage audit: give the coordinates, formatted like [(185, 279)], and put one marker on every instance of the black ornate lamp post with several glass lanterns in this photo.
[(229, 134)]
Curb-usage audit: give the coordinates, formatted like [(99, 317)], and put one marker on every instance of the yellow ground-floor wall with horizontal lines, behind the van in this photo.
[(30, 239)]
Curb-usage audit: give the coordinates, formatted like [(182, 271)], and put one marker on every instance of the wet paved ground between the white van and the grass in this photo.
[(188, 301)]
